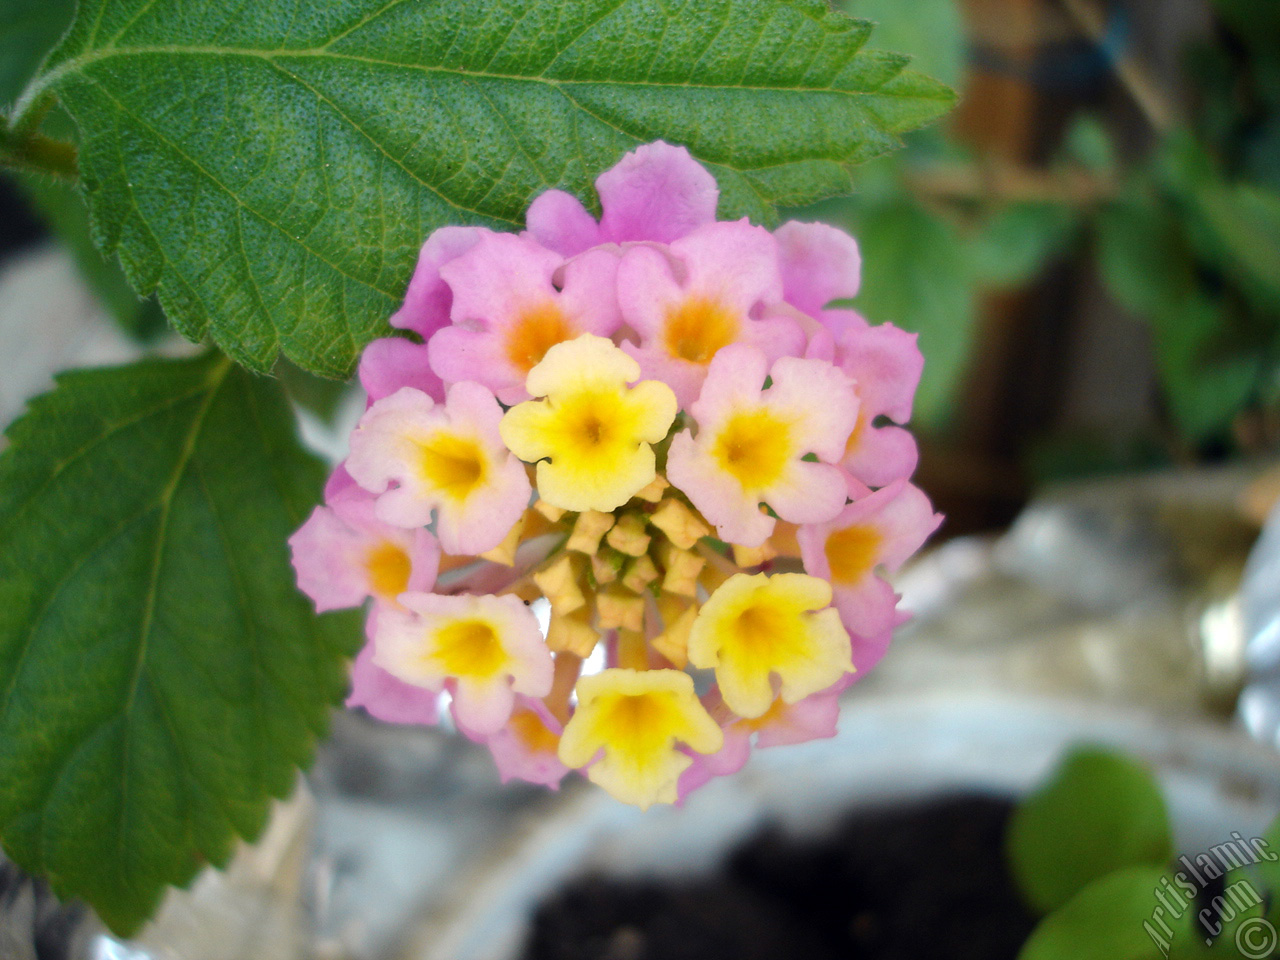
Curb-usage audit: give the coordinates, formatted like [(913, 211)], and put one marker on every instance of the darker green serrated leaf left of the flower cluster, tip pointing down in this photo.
[(161, 675)]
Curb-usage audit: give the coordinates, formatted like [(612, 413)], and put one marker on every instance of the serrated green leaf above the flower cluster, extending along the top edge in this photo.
[(273, 168)]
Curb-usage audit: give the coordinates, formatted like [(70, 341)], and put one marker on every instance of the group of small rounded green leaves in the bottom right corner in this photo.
[(1091, 851)]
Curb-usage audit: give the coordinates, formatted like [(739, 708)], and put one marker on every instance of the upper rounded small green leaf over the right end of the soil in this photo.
[(1099, 813)]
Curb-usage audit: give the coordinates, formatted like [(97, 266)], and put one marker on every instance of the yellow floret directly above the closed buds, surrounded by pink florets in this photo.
[(592, 436)]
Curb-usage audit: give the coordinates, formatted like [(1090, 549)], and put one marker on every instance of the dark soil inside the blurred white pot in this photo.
[(908, 883)]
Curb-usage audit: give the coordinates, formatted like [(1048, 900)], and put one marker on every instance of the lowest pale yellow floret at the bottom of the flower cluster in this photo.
[(638, 719)]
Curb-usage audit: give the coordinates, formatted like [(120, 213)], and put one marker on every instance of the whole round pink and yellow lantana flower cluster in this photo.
[(655, 428)]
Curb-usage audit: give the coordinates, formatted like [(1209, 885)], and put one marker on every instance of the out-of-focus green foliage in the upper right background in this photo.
[(1186, 235)]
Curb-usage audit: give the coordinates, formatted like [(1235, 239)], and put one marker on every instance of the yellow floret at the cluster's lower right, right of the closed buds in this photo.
[(756, 627)]
